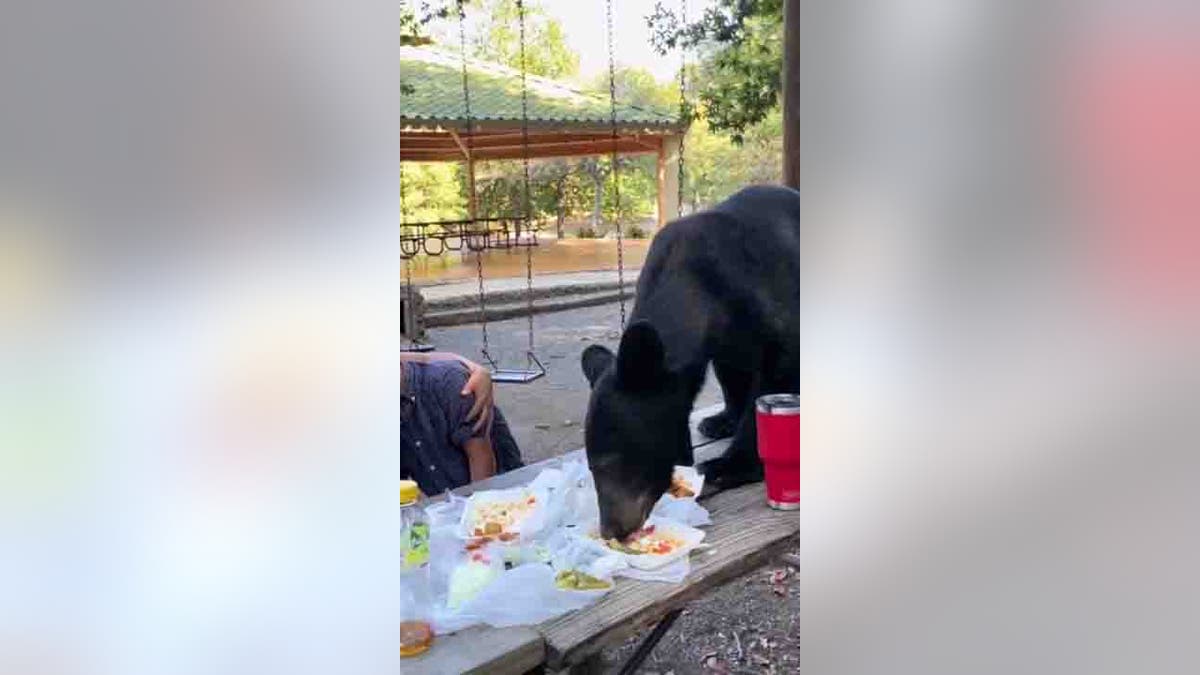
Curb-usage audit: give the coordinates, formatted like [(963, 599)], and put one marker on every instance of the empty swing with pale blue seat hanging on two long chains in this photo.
[(535, 369)]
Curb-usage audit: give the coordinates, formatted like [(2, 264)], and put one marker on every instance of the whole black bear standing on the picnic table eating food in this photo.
[(722, 288)]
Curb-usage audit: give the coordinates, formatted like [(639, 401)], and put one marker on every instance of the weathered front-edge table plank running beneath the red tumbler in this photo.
[(745, 535)]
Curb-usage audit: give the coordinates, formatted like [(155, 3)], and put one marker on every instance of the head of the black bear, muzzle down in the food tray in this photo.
[(637, 427)]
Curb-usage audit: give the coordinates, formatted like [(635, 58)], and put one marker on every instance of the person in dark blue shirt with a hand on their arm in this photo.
[(451, 431)]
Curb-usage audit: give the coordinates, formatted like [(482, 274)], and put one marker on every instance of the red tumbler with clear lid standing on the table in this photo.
[(779, 446)]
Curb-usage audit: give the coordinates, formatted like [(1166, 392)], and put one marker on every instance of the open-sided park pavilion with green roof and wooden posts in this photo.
[(562, 122)]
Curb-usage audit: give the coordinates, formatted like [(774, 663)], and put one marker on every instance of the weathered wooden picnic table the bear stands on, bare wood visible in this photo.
[(745, 535)]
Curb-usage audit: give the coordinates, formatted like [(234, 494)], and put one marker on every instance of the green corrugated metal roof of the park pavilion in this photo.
[(437, 98)]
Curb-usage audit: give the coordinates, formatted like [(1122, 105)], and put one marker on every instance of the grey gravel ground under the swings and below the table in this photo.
[(751, 625)]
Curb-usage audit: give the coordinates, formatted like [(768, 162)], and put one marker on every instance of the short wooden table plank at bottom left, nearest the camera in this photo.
[(482, 649)]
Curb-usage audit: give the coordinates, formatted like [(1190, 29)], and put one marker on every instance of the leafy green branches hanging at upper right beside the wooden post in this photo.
[(742, 47)]
